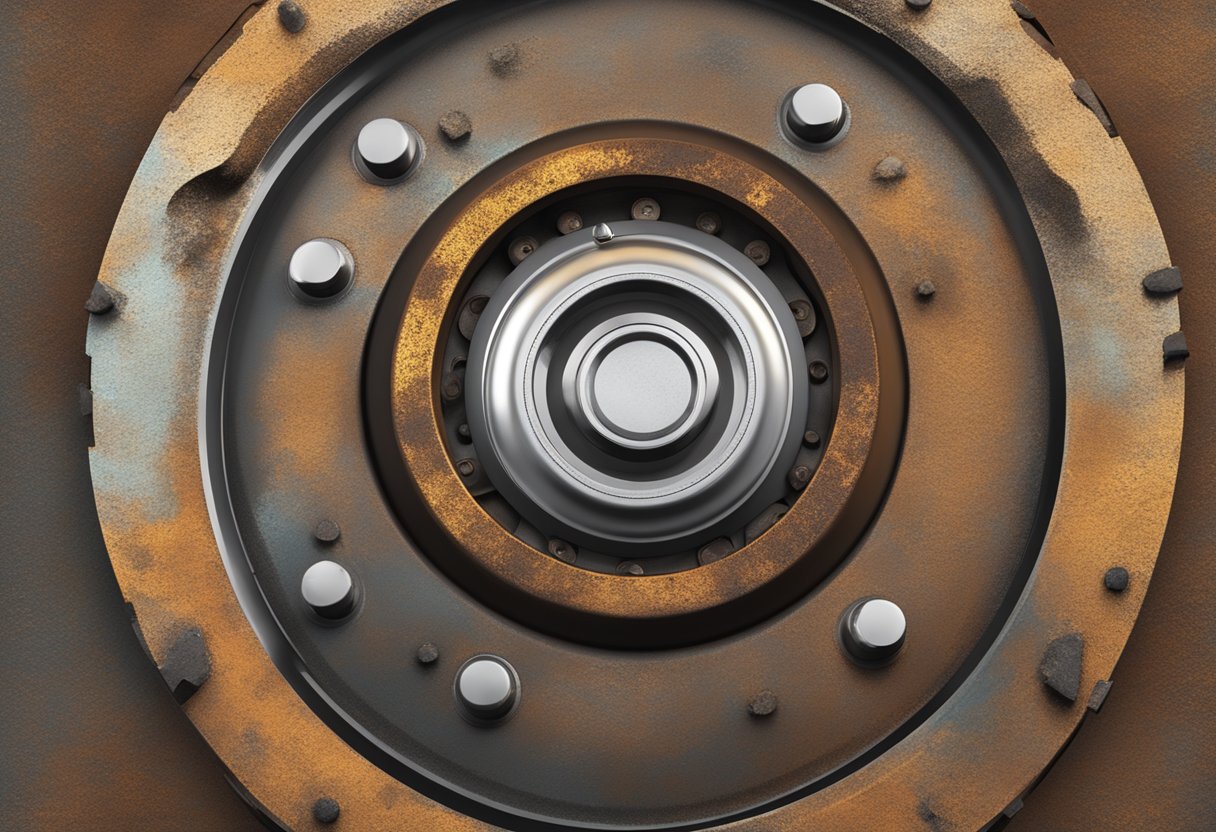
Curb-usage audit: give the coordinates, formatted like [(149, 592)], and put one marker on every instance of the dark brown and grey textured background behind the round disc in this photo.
[(91, 738)]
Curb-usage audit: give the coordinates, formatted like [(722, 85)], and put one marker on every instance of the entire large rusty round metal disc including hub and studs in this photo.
[(769, 424)]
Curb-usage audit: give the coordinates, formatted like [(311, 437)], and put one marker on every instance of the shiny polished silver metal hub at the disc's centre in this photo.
[(638, 392)]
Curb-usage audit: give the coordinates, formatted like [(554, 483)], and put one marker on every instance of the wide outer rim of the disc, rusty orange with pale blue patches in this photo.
[(975, 755)]
